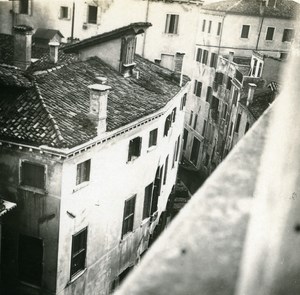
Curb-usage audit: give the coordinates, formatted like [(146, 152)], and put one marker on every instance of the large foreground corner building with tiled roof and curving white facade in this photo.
[(90, 144)]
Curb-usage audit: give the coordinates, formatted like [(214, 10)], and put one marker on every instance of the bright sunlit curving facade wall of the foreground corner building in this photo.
[(99, 205)]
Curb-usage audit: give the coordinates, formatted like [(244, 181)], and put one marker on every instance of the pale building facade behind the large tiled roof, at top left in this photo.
[(172, 35)]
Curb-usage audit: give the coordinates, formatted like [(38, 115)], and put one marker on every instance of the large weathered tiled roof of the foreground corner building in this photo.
[(54, 110)]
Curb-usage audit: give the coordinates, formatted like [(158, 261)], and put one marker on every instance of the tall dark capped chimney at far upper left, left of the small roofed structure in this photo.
[(22, 46)]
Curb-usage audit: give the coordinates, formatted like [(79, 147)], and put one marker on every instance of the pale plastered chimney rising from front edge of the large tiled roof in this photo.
[(98, 105)]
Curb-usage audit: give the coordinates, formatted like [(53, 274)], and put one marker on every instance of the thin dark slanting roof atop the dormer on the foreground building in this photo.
[(136, 28)]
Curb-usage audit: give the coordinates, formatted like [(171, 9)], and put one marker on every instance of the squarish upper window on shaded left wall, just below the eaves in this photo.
[(33, 175)]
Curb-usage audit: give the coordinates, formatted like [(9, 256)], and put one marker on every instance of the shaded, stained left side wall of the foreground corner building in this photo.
[(36, 215)]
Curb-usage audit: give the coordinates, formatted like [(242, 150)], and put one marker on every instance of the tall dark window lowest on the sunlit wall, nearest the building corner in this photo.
[(79, 243)]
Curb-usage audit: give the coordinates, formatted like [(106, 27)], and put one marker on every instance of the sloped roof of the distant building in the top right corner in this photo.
[(284, 8)]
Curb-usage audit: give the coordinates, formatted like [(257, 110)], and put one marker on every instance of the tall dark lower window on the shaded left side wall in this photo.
[(30, 260)]
